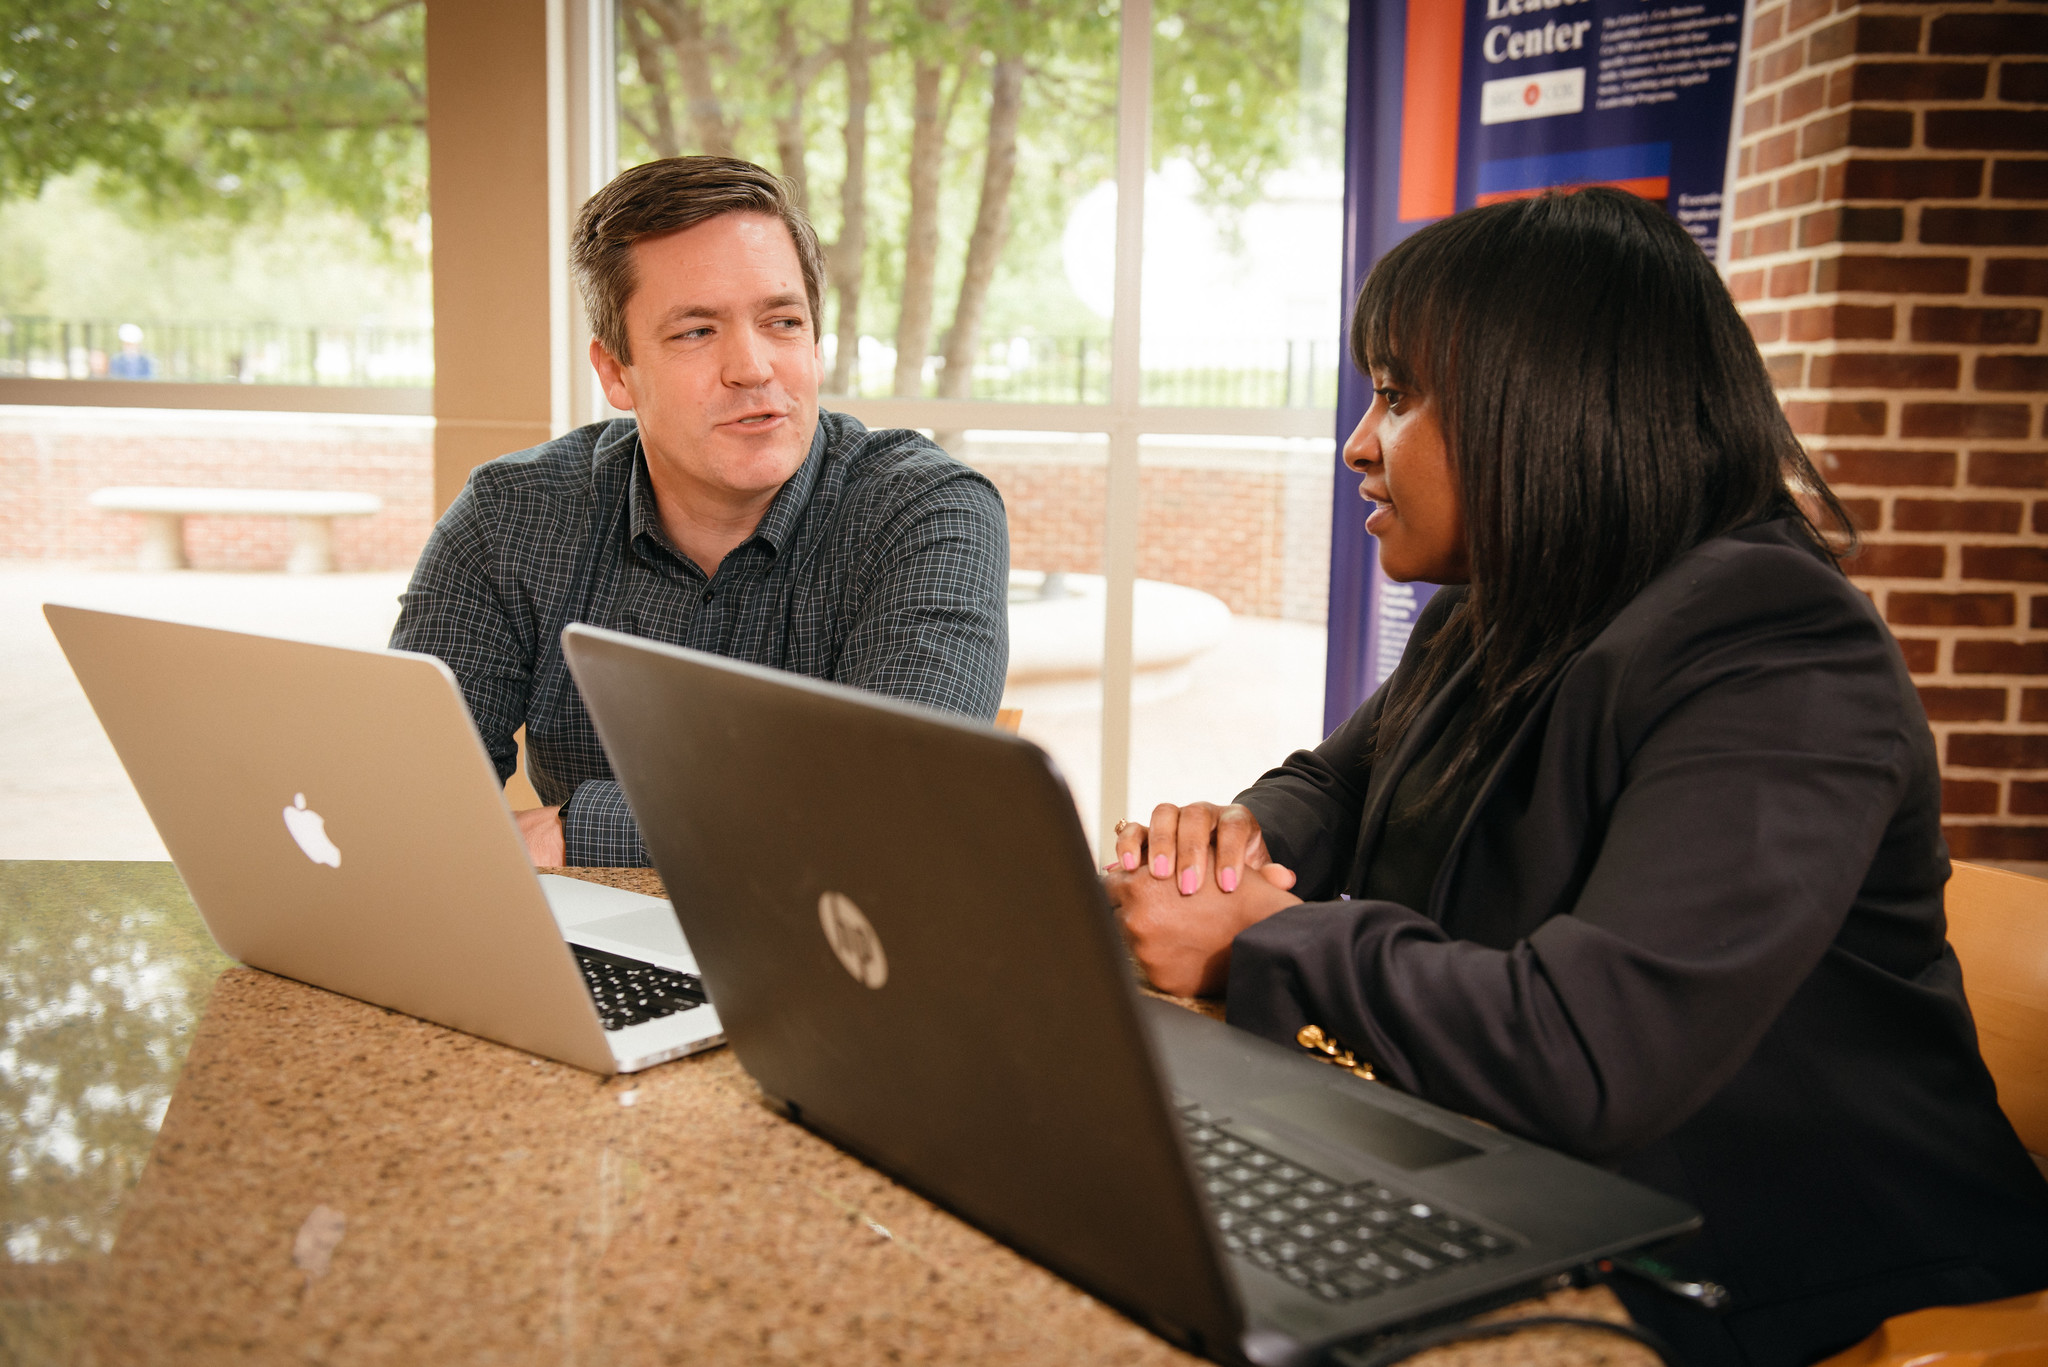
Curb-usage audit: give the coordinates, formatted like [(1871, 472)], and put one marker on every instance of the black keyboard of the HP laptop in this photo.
[(1336, 1241)]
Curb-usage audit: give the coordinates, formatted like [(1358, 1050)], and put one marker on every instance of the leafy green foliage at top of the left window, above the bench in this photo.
[(220, 108)]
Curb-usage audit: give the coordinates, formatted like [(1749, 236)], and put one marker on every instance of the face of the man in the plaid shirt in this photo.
[(726, 366)]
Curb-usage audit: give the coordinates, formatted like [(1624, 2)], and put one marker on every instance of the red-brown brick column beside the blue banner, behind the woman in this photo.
[(1891, 253)]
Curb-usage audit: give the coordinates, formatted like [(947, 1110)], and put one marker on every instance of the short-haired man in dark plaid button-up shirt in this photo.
[(730, 513)]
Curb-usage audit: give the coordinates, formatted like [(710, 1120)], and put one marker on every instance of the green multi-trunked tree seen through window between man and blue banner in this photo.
[(943, 142)]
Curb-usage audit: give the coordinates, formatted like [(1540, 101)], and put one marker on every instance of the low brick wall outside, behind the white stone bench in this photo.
[(54, 458)]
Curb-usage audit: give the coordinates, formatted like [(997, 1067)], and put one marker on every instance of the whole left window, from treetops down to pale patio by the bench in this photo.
[(214, 274)]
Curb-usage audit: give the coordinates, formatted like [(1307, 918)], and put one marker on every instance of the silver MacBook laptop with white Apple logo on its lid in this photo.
[(337, 821)]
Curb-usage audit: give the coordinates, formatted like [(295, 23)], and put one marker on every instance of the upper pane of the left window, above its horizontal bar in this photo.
[(187, 196)]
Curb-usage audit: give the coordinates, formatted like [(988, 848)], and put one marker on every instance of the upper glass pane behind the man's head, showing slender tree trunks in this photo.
[(939, 147)]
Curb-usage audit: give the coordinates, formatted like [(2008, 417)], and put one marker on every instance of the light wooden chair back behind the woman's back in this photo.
[(1998, 923)]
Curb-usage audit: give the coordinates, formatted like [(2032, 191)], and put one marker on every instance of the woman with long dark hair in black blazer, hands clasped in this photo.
[(1639, 852)]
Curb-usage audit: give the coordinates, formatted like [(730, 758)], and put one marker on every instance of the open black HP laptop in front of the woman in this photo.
[(902, 927)]
